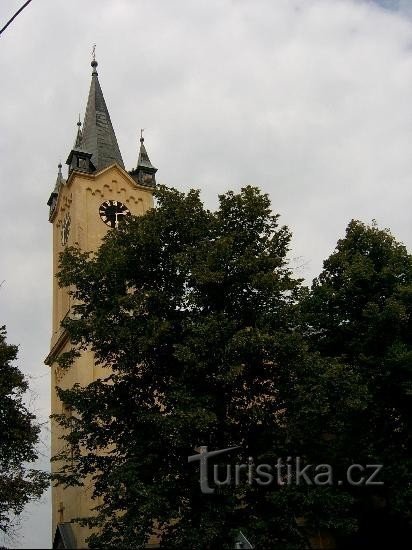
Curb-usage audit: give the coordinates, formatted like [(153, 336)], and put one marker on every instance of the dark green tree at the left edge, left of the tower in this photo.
[(18, 438)]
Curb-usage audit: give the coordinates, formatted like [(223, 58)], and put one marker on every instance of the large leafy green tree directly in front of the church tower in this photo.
[(193, 312)]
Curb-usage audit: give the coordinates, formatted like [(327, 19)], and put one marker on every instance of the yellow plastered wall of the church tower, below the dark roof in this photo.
[(80, 198)]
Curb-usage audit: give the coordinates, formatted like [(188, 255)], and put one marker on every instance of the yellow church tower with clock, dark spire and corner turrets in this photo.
[(97, 193)]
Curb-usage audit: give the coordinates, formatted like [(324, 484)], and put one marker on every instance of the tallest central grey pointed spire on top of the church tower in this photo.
[(98, 136)]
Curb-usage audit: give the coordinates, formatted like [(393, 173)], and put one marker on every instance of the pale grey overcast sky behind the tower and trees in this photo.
[(311, 100)]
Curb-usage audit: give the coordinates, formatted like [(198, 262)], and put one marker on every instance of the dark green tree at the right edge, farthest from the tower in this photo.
[(360, 312)]
